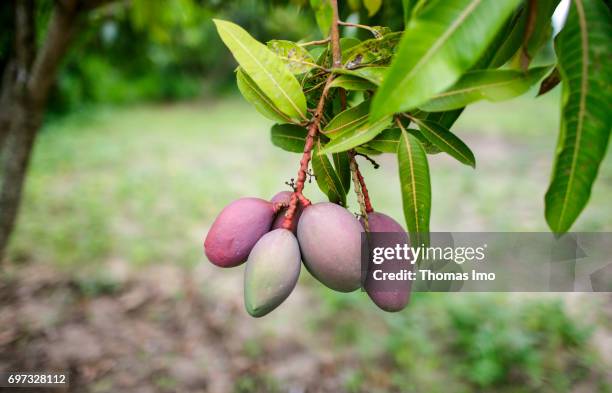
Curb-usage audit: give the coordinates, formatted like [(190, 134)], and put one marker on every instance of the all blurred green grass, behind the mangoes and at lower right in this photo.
[(143, 184)]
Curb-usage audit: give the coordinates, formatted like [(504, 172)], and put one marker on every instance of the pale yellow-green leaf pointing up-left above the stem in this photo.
[(265, 69)]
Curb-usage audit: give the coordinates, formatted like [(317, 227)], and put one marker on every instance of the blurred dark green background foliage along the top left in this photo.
[(168, 50)]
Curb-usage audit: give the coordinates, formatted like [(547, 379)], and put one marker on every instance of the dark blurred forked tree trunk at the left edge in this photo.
[(26, 84)]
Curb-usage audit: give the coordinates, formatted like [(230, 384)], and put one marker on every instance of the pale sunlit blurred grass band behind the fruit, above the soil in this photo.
[(144, 183)]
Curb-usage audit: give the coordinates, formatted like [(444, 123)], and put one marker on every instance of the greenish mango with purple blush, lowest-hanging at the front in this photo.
[(272, 271)]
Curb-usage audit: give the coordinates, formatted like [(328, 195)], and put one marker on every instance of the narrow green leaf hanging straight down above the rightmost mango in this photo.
[(415, 186)]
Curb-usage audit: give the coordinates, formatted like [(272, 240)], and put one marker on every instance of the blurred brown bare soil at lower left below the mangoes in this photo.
[(156, 331)]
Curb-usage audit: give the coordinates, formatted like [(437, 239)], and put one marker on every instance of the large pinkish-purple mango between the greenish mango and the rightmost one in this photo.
[(330, 241)]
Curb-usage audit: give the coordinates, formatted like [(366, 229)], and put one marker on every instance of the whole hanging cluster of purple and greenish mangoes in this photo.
[(325, 236)]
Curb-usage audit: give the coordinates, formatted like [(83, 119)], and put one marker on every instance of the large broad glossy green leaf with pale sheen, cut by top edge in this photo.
[(439, 45)]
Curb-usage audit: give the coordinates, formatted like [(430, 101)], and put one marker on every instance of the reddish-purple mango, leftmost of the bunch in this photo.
[(236, 230)]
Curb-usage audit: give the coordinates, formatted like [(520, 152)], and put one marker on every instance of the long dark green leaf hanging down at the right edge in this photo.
[(585, 60)]
